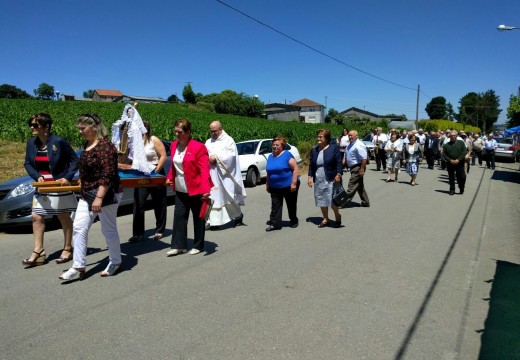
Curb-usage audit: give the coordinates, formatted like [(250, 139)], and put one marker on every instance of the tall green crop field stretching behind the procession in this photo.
[(15, 113)]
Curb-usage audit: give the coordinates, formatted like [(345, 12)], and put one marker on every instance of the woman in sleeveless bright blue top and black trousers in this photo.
[(282, 183)]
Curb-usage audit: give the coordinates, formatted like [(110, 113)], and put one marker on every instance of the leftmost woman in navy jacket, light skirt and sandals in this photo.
[(47, 158)]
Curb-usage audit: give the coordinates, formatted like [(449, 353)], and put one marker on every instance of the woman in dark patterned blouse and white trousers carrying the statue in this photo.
[(101, 192)]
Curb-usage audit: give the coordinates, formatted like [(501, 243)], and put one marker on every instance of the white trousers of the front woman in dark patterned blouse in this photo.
[(82, 223)]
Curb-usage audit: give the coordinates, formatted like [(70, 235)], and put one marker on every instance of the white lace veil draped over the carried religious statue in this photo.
[(135, 131)]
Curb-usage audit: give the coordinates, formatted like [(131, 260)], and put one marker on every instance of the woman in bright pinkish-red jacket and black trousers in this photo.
[(190, 179)]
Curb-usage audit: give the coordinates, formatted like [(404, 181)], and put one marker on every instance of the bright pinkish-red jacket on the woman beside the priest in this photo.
[(196, 168)]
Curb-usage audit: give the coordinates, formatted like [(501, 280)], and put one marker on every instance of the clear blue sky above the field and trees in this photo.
[(449, 47)]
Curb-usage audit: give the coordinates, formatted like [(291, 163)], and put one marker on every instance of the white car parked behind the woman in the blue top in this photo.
[(253, 156)]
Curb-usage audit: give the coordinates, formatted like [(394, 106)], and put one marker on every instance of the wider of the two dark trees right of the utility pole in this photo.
[(480, 110)]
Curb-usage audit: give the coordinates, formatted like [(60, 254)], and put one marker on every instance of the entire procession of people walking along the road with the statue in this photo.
[(207, 180)]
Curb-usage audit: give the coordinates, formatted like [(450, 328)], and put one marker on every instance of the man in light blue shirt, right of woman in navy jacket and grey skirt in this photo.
[(356, 160)]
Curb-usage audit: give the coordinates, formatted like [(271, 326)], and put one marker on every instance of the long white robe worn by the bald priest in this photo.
[(226, 194)]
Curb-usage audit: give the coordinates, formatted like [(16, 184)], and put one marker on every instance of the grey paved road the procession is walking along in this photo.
[(409, 278)]
